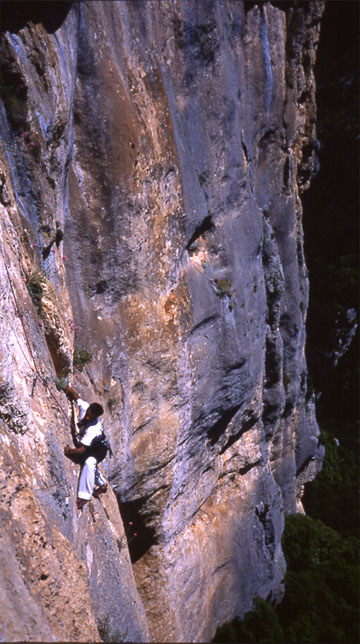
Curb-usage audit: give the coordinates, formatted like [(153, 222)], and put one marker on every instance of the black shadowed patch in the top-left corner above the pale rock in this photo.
[(15, 15)]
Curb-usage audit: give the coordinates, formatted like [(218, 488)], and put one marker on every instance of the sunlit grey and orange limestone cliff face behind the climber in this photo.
[(152, 162)]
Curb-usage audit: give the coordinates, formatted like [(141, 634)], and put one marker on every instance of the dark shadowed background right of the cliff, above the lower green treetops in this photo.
[(331, 207)]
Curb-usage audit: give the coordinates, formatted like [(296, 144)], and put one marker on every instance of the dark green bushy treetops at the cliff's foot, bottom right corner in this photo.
[(321, 591)]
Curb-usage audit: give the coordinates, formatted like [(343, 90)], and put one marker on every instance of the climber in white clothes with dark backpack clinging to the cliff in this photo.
[(89, 450)]
